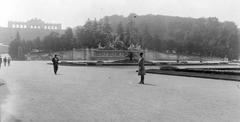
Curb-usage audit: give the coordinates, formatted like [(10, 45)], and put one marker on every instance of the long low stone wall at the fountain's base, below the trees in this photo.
[(94, 54)]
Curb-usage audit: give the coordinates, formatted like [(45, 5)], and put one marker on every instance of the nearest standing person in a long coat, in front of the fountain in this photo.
[(141, 68)]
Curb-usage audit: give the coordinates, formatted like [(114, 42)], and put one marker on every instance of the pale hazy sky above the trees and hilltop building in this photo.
[(76, 12)]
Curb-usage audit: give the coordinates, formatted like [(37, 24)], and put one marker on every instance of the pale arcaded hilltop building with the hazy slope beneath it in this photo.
[(28, 30)]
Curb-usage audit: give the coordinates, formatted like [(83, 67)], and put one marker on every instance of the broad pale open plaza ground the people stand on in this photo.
[(111, 94)]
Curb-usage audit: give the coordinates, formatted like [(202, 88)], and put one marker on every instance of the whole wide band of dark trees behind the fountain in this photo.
[(202, 37)]
